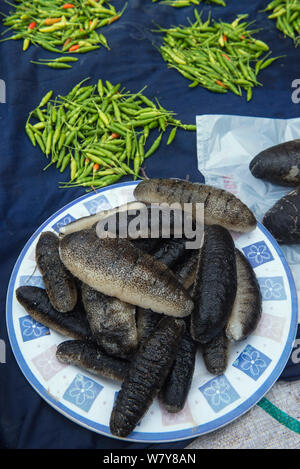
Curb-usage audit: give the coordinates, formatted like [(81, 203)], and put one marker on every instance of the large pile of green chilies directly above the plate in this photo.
[(100, 131)]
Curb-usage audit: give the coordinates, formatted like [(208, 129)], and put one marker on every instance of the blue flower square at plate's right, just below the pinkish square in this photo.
[(252, 362)]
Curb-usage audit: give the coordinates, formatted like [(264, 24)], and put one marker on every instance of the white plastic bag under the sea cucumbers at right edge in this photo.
[(226, 145)]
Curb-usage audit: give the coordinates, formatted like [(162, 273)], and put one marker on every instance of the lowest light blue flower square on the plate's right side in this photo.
[(219, 393)]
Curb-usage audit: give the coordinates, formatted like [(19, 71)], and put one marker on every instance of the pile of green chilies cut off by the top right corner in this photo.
[(287, 16)]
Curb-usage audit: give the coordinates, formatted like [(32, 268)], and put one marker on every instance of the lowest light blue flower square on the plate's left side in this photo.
[(82, 392)]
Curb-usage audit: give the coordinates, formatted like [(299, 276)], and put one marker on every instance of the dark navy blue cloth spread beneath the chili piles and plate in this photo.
[(28, 195)]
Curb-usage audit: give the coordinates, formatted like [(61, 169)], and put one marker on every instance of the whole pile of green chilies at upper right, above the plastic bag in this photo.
[(218, 56)]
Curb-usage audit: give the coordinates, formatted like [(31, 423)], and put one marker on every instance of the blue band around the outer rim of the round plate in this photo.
[(147, 437)]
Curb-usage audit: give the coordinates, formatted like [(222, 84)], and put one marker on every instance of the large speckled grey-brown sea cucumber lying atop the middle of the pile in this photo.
[(116, 268)]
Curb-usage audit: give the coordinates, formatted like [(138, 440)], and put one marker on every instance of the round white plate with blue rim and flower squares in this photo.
[(254, 364)]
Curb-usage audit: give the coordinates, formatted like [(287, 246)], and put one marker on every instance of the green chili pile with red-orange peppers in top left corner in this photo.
[(61, 27)]
